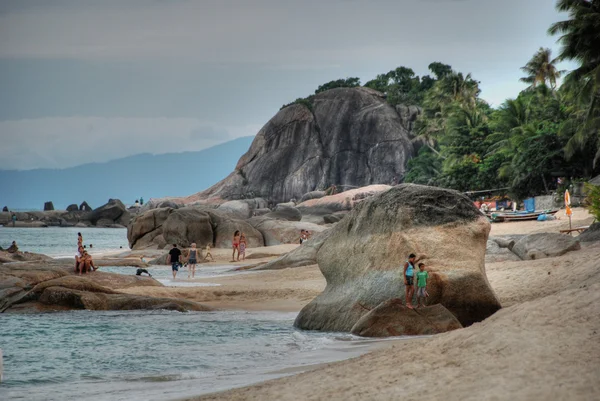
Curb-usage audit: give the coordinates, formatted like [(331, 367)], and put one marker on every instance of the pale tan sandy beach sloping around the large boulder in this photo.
[(543, 344)]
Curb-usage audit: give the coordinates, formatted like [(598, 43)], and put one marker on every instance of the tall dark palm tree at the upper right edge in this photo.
[(580, 41)]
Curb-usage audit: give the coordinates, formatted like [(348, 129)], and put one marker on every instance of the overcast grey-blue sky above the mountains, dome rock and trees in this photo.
[(91, 81)]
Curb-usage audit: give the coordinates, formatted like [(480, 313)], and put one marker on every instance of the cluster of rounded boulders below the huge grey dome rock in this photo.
[(167, 222)]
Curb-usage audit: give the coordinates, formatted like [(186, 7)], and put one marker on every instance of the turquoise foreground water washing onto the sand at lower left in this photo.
[(153, 355)]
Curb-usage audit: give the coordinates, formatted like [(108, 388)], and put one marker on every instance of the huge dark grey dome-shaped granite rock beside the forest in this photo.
[(350, 137)]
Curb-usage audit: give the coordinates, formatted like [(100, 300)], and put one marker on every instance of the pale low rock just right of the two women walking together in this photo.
[(276, 232)]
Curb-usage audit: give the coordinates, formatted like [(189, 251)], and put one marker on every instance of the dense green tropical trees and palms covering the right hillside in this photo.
[(548, 131)]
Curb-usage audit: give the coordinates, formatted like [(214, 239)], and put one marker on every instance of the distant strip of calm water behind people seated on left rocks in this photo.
[(62, 241)]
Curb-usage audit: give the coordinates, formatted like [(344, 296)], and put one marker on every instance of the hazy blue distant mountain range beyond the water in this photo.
[(128, 179)]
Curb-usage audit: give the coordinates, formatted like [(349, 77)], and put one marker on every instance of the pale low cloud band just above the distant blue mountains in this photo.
[(66, 142)]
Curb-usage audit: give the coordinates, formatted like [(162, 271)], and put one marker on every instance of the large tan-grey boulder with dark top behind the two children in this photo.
[(363, 257)]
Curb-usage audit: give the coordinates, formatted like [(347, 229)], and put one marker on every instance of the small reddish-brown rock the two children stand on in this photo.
[(392, 318)]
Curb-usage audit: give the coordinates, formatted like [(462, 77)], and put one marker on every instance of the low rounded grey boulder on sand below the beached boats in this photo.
[(542, 245)]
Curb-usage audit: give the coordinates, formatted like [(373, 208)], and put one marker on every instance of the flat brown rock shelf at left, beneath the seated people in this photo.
[(30, 287)]
